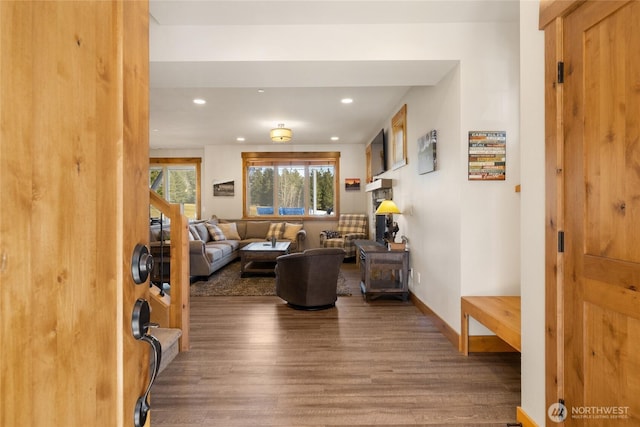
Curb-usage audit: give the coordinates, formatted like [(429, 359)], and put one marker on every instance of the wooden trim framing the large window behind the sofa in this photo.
[(281, 157)]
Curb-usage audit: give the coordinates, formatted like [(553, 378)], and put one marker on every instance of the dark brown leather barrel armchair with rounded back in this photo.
[(309, 280)]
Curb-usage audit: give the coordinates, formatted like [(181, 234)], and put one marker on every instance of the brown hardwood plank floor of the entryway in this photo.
[(256, 362)]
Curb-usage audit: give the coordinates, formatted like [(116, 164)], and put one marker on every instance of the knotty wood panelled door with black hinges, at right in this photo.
[(601, 301)]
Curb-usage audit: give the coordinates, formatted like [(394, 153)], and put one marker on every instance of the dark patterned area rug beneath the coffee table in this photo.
[(227, 282)]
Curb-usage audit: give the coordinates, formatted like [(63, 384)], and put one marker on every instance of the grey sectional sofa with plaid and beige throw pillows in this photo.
[(214, 243)]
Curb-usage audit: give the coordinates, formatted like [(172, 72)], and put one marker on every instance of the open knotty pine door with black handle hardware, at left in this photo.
[(74, 202)]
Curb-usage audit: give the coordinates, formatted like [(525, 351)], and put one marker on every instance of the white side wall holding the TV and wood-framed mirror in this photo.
[(431, 202)]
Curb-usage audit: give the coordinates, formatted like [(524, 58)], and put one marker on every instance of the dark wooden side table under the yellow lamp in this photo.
[(382, 272)]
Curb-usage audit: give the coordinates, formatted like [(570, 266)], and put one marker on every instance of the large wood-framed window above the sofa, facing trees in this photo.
[(290, 184)]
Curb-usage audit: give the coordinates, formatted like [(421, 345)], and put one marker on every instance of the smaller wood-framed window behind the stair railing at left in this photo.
[(177, 180)]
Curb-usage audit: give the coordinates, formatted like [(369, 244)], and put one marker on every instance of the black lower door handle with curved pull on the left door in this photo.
[(140, 325)]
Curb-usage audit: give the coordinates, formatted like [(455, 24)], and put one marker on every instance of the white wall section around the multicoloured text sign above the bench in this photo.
[(490, 210)]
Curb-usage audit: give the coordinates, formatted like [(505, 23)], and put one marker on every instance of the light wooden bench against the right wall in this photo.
[(500, 314)]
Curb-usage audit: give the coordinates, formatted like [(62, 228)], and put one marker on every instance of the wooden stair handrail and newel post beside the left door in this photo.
[(179, 262)]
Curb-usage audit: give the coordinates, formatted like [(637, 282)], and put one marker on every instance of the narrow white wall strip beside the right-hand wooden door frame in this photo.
[(532, 214)]
